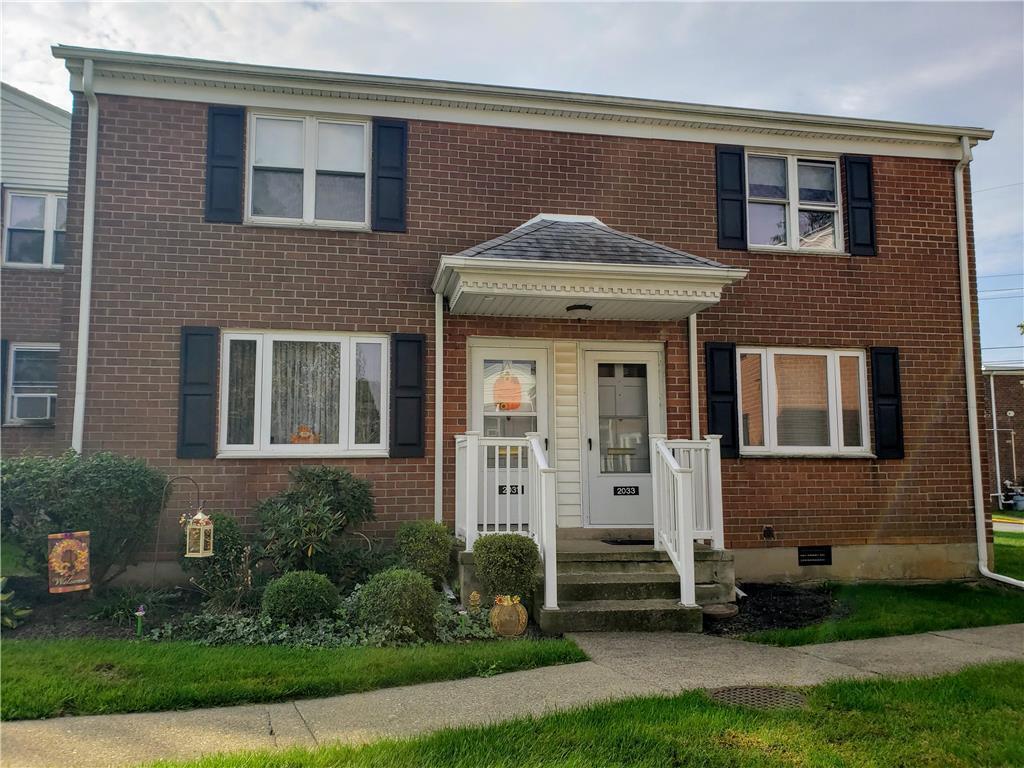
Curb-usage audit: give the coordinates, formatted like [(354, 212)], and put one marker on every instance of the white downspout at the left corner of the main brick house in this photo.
[(86, 291)]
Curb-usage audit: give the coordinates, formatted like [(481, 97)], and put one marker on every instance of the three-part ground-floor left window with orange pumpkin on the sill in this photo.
[(303, 395)]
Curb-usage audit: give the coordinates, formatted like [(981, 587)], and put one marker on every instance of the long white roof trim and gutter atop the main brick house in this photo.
[(191, 79)]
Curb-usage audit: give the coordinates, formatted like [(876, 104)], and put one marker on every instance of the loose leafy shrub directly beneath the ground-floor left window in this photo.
[(304, 524)]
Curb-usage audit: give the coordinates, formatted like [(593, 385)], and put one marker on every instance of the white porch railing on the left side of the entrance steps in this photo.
[(506, 486)]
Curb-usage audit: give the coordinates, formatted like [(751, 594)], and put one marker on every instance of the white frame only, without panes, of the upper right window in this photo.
[(793, 204)]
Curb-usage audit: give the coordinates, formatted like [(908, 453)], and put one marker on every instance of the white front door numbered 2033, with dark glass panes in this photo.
[(623, 403)]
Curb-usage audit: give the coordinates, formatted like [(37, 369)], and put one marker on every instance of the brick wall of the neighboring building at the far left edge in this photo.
[(30, 311)]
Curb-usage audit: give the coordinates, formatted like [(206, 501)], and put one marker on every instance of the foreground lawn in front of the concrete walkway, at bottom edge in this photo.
[(974, 718)]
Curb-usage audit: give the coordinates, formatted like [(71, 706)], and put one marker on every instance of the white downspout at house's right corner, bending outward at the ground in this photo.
[(972, 395)]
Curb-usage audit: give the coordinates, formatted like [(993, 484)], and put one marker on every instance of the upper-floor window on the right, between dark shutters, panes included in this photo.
[(793, 203)]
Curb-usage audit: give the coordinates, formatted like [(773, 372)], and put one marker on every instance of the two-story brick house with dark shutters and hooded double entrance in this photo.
[(735, 332)]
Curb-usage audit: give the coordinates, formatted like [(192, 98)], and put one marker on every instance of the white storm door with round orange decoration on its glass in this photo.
[(509, 399)]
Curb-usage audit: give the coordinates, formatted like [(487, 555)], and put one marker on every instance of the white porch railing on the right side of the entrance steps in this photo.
[(688, 483)]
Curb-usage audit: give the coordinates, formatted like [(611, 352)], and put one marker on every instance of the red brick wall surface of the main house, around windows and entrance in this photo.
[(159, 267)]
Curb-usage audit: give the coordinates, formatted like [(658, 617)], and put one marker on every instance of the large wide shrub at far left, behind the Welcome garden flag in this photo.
[(115, 498)]
